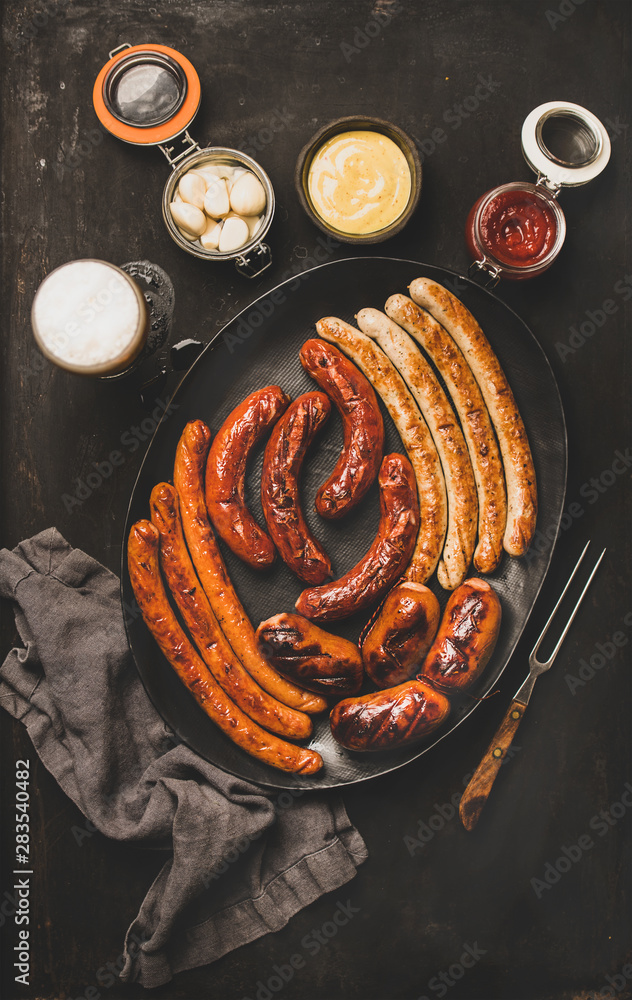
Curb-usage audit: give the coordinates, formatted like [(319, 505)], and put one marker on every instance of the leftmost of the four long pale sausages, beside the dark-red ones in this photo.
[(415, 436)]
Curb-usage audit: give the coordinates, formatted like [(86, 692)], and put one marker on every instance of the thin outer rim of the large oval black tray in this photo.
[(212, 343)]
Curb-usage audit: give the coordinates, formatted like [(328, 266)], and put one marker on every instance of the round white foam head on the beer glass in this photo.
[(86, 314)]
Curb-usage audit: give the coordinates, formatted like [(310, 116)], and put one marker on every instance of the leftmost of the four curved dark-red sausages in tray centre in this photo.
[(230, 451)]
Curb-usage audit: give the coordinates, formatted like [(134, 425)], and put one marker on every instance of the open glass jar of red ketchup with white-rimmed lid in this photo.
[(515, 231)]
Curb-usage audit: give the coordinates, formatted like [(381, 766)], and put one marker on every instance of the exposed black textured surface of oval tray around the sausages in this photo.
[(260, 347)]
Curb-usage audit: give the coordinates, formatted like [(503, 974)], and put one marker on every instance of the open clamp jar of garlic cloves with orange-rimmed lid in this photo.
[(148, 95)]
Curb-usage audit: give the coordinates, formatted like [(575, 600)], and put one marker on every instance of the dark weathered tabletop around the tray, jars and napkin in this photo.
[(416, 913)]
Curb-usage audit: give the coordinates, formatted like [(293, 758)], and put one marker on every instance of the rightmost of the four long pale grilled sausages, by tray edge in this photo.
[(522, 500)]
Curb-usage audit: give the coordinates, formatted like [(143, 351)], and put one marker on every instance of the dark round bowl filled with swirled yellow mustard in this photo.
[(359, 178)]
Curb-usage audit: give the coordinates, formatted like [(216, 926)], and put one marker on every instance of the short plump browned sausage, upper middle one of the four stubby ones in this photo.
[(401, 635)]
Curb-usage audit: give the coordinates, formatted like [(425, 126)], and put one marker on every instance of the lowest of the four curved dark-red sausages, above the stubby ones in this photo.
[(386, 559)]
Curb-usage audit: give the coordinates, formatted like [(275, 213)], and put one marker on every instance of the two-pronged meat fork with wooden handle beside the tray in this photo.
[(477, 792)]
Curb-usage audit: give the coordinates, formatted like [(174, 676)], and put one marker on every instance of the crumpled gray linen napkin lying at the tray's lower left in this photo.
[(242, 859)]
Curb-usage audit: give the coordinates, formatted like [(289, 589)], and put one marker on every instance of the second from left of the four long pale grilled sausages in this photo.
[(460, 484)]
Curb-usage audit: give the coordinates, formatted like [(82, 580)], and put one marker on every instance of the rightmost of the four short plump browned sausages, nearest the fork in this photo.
[(466, 637)]
